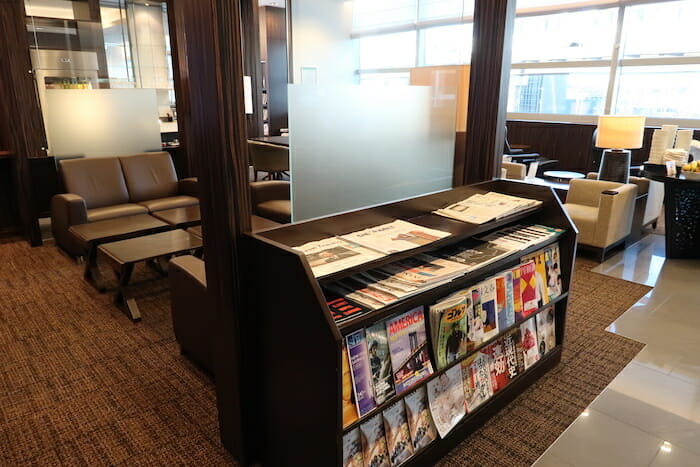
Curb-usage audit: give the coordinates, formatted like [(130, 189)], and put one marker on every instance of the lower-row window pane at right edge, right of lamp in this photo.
[(669, 91)]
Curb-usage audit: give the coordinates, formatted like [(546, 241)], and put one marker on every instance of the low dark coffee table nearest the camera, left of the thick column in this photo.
[(124, 254)]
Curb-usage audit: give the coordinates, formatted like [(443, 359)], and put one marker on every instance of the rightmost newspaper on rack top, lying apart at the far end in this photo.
[(479, 209)]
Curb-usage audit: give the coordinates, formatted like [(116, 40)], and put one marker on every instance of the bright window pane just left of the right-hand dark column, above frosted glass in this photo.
[(448, 45)]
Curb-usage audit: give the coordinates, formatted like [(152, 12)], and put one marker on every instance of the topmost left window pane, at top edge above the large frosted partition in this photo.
[(370, 14)]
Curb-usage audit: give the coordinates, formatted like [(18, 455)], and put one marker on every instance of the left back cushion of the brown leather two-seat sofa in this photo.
[(98, 180)]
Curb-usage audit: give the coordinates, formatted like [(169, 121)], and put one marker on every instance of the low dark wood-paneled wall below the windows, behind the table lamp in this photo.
[(569, 143)]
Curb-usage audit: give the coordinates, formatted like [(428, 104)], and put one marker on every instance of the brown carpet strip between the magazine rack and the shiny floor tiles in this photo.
[(591, 358)]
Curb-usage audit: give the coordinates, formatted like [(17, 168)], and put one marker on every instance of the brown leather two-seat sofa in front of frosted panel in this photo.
[(112, 187)]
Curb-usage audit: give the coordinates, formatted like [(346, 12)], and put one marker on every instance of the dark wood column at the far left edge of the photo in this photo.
[(21, 124)]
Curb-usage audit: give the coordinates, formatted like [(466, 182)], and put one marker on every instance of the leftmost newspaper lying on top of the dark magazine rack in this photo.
[(335, 254)]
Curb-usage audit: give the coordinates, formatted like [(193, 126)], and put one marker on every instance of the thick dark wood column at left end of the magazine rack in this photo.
[(211, 114)]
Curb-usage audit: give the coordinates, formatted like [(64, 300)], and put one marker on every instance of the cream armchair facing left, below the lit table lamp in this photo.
[(602, 211)]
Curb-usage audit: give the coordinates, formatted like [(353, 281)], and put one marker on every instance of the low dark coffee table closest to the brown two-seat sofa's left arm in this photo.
[(92, 234)]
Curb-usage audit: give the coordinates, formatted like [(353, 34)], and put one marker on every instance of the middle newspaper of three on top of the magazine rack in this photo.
[(395, 236)]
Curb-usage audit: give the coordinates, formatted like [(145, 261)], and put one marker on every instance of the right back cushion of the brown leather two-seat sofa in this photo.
[(149, 176)]
